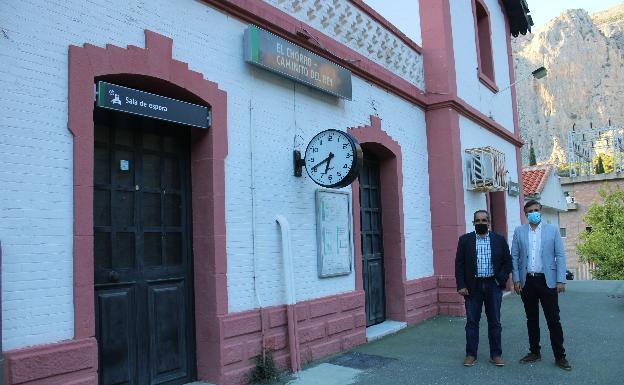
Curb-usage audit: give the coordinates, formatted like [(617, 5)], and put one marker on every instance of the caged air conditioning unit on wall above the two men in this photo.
[(486, 169)]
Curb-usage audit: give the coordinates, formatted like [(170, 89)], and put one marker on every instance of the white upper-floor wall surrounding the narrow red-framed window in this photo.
[(469, 88)]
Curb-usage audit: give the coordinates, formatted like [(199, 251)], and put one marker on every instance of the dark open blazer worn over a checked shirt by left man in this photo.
[(466, 260)]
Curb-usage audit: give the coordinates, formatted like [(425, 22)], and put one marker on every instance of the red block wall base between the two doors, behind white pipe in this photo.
[(325, 325)]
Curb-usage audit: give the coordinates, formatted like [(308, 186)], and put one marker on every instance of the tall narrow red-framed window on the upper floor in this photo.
[(484, 44)]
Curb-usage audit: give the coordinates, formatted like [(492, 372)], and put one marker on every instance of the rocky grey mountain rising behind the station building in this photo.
[(584, 55)]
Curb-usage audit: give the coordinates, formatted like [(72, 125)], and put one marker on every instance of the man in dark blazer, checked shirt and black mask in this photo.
[(482, 267)]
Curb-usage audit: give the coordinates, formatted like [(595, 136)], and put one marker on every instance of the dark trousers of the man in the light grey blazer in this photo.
[(535, 291)]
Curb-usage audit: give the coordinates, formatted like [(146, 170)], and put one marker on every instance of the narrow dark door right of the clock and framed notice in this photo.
[(372, 241)]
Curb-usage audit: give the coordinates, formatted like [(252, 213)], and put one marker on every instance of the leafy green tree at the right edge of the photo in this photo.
[(604, 244)]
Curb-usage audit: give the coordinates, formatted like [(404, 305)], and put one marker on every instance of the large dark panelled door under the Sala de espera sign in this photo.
[(142, 251)]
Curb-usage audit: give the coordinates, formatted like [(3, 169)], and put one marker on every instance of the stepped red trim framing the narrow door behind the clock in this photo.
[(372, 138)]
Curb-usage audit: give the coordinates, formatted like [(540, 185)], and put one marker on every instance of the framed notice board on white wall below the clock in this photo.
[(333, 230)]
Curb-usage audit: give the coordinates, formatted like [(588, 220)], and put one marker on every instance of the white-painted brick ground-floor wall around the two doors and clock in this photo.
[(36, 201)]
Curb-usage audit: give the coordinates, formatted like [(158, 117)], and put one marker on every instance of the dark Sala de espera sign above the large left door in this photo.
[(142, 103)]
